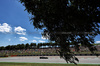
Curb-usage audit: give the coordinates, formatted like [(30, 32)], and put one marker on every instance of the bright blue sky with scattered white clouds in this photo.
[(15, 27)]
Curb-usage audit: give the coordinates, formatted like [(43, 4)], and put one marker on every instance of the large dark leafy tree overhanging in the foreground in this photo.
[(66, 21)]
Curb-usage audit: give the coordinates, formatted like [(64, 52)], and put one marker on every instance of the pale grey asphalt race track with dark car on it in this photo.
[(51, 59)]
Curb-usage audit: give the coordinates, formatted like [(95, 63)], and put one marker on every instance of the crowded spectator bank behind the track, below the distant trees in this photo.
[(45, 51)]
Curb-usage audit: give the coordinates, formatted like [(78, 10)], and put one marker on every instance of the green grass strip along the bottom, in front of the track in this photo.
[(42, 64)]
